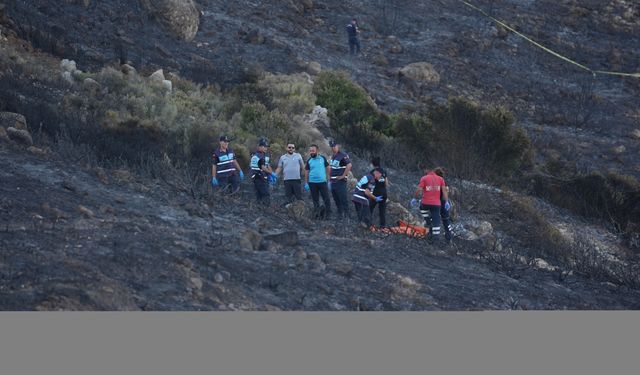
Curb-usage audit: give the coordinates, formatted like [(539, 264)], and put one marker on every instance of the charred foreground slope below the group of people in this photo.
[(90, 239)]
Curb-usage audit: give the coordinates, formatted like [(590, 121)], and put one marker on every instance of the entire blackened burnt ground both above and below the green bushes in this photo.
[(77, 236)]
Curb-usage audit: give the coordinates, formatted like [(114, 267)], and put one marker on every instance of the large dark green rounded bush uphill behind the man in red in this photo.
[(473, 142)]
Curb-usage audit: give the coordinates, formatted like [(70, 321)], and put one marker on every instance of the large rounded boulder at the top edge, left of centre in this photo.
[(180, 17)]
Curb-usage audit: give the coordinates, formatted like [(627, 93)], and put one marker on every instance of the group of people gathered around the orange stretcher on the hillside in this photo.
[(319, 176)]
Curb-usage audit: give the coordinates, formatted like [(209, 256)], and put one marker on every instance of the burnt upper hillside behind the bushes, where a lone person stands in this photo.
[(572, 116)]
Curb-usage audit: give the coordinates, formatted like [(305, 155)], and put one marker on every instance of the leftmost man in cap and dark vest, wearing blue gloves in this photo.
[(225, 168)]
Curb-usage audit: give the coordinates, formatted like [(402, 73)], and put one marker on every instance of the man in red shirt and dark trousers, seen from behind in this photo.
[(431, 186)]
